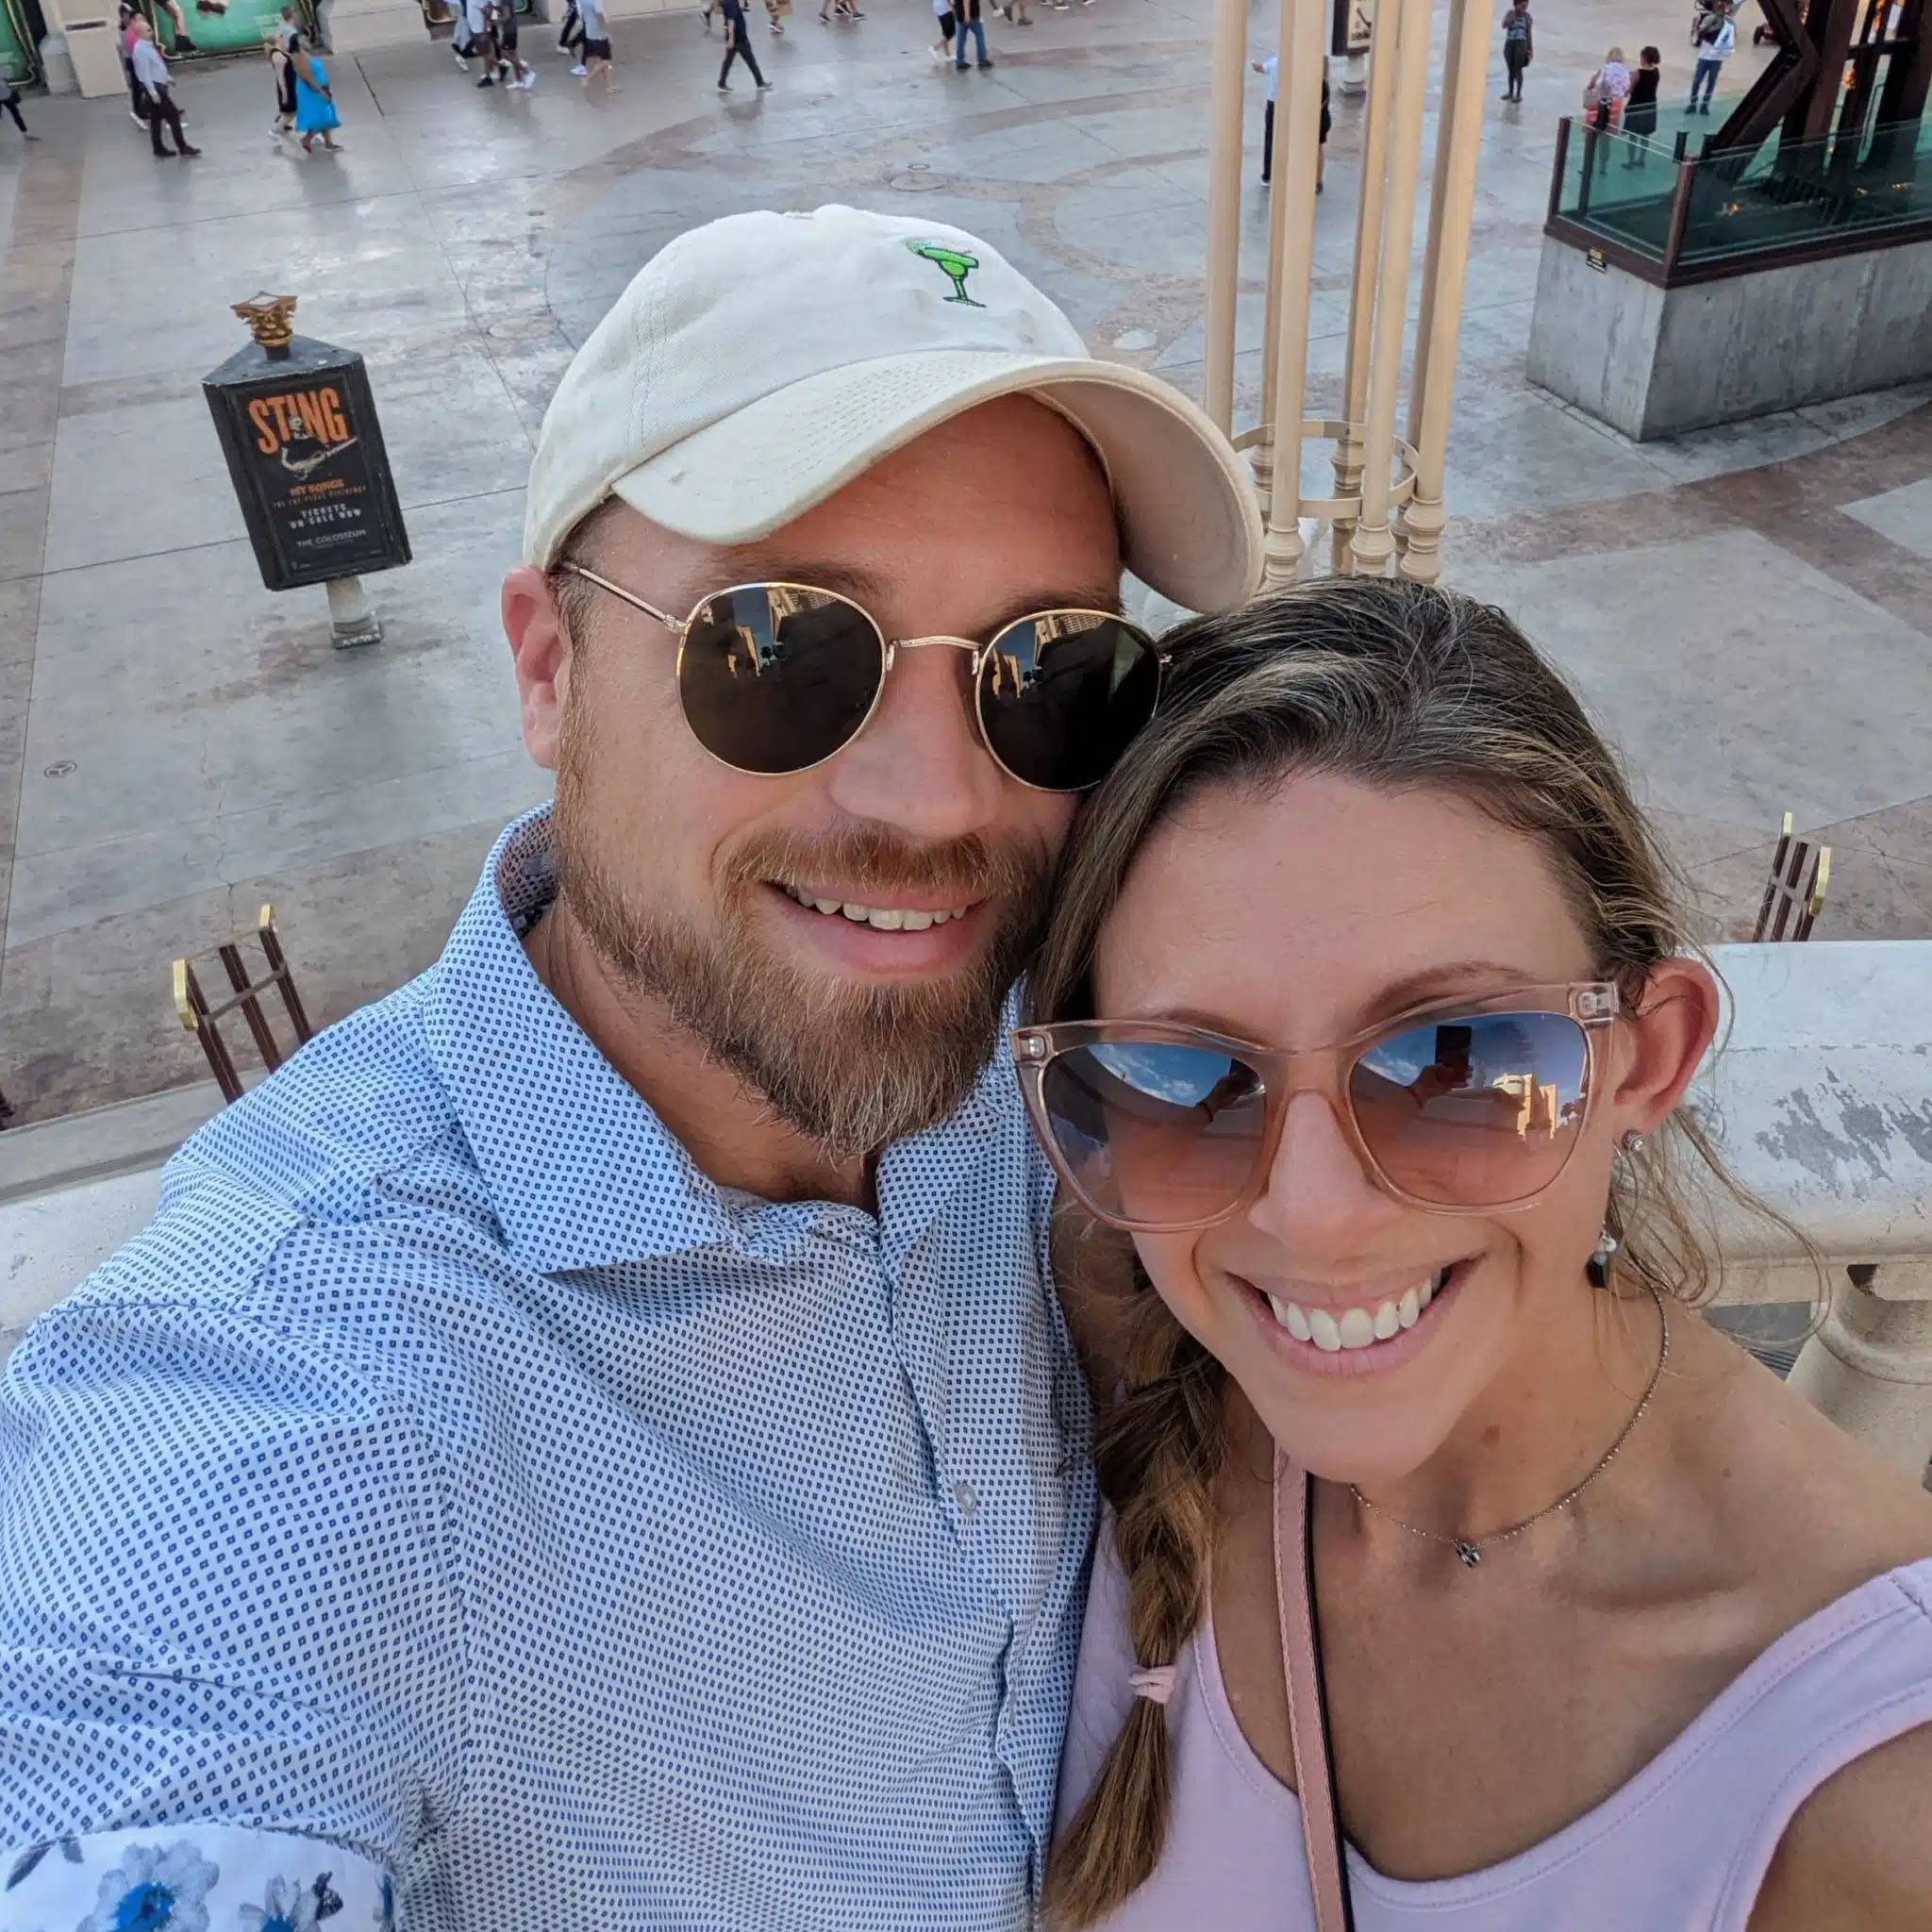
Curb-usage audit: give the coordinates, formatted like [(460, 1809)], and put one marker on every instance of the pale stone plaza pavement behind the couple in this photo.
[(1749, 611)]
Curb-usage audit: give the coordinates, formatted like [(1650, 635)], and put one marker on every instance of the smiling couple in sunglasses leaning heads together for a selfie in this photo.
[(1011, 1274)]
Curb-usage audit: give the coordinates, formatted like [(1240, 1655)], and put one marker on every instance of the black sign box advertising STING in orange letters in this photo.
[(308, 463)]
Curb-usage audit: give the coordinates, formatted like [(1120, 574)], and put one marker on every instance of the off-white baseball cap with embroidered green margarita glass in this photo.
[(758, 364)]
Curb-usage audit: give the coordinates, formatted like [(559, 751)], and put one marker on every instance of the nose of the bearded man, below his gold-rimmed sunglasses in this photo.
[(921, 764)]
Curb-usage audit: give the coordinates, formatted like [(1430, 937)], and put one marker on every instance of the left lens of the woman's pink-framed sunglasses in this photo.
[(1156, 1135)]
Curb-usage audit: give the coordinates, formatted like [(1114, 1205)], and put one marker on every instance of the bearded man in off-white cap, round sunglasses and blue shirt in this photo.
[(592, 1440)]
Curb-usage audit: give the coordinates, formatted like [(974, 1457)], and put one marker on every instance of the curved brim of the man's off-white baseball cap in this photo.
[(1187, 511)]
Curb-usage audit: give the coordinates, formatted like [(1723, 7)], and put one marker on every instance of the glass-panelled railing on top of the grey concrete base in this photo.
[(1674, 215)]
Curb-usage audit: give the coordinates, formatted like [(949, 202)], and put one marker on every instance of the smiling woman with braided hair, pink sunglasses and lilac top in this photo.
[(1616, 1632)]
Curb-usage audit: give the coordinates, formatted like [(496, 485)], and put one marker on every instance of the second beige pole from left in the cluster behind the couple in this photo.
[(1297, 159)]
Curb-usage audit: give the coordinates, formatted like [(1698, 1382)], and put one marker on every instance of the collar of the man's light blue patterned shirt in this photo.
[(581, 1168)]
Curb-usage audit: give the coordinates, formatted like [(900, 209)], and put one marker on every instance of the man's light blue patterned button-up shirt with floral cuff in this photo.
[(453, 1494)]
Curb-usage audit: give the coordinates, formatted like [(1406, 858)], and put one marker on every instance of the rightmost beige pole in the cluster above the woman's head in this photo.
[(1452, 210)]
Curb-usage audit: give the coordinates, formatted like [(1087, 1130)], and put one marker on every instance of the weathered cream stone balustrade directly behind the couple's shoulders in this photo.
[(1823, 1104)]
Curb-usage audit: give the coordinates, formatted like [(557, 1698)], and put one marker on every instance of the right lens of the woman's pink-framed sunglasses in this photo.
[(1475, 1112)]
